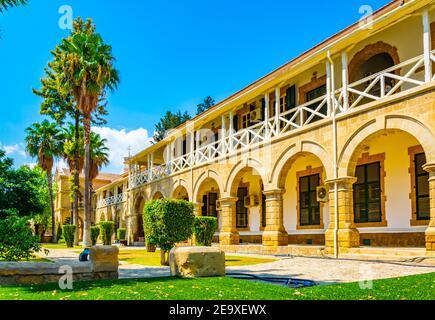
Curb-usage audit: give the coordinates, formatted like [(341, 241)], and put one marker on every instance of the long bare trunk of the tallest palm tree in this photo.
[(87, 211)]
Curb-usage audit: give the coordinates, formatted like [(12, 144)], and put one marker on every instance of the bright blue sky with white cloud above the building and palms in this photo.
[(170, 55)]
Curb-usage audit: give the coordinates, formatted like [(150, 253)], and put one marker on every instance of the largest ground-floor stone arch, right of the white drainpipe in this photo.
[(348, 156)]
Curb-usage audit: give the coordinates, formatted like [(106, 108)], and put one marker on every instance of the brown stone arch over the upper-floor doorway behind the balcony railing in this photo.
[(370, 51)]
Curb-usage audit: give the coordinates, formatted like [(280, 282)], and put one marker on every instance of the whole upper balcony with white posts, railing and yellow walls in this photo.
[(368, 64)]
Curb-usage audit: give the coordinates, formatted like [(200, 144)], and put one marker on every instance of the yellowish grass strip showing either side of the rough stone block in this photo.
[(145, 258)]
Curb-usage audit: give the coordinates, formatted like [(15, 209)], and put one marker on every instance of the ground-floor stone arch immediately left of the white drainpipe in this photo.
[(291, 154)]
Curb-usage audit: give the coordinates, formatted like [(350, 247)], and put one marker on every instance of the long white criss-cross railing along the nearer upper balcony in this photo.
[(386, 83)]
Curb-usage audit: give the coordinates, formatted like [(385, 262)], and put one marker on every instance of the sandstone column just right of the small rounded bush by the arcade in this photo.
[(228, 234)]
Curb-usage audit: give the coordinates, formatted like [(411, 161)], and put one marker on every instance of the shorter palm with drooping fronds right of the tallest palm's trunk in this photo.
[(99, 157)]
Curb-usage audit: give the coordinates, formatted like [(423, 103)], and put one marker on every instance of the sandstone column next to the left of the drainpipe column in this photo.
[(274, 234)]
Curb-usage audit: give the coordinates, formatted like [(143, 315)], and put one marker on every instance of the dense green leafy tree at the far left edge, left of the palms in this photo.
[(23, 190)]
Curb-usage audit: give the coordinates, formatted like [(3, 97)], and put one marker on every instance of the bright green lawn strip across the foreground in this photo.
[(412, 287)]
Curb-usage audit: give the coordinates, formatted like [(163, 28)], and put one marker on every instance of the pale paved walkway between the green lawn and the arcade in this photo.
[(322, 270)]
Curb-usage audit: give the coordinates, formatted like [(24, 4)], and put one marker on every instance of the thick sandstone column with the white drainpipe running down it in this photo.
[(348, 235)]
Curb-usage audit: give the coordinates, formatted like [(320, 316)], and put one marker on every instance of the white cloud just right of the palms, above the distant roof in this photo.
[(118, 142)]
